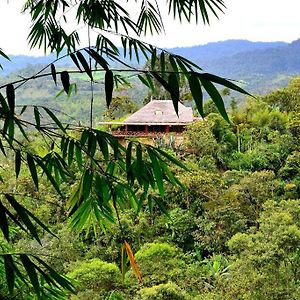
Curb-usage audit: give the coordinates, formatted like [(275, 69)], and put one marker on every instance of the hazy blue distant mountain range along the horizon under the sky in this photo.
[(260, 65)]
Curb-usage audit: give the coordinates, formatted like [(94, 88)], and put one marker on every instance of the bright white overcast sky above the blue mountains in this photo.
[(254, 20)]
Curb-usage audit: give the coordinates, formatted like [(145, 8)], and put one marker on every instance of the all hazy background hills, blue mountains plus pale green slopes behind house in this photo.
[(260, 67)]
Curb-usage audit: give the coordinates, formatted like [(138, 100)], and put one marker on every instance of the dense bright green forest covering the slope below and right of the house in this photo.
[(232, 231)]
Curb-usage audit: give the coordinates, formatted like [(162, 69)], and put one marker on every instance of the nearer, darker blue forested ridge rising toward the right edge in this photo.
[(262, 70)]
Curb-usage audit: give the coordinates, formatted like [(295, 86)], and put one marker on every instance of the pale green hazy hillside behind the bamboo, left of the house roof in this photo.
[(75, 106)]
